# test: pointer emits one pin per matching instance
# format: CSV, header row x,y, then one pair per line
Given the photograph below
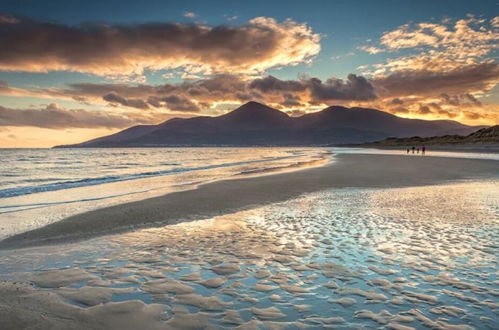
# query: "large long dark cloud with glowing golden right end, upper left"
x,y
105,49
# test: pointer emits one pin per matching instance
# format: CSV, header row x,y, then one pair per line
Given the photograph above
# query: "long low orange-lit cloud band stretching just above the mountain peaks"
x,y
218,94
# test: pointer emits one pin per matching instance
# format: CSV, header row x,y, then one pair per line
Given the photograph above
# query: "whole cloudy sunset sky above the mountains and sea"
x,y
75,70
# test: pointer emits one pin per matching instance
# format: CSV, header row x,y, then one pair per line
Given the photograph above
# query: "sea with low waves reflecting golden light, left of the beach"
x,y
41,186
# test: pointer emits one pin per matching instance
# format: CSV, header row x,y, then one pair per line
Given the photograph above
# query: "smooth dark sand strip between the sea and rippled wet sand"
x,y
226,196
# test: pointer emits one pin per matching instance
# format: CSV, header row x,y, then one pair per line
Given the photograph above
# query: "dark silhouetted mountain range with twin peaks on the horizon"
x,y
255,124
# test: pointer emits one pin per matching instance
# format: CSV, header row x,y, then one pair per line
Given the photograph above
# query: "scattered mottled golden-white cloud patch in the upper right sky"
x,y
437,46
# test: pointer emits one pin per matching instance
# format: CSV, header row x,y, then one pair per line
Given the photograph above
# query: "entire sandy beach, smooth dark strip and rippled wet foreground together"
x,y
367,240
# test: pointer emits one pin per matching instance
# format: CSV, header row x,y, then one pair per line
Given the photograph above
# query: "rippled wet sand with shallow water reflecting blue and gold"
x,y
422,257
